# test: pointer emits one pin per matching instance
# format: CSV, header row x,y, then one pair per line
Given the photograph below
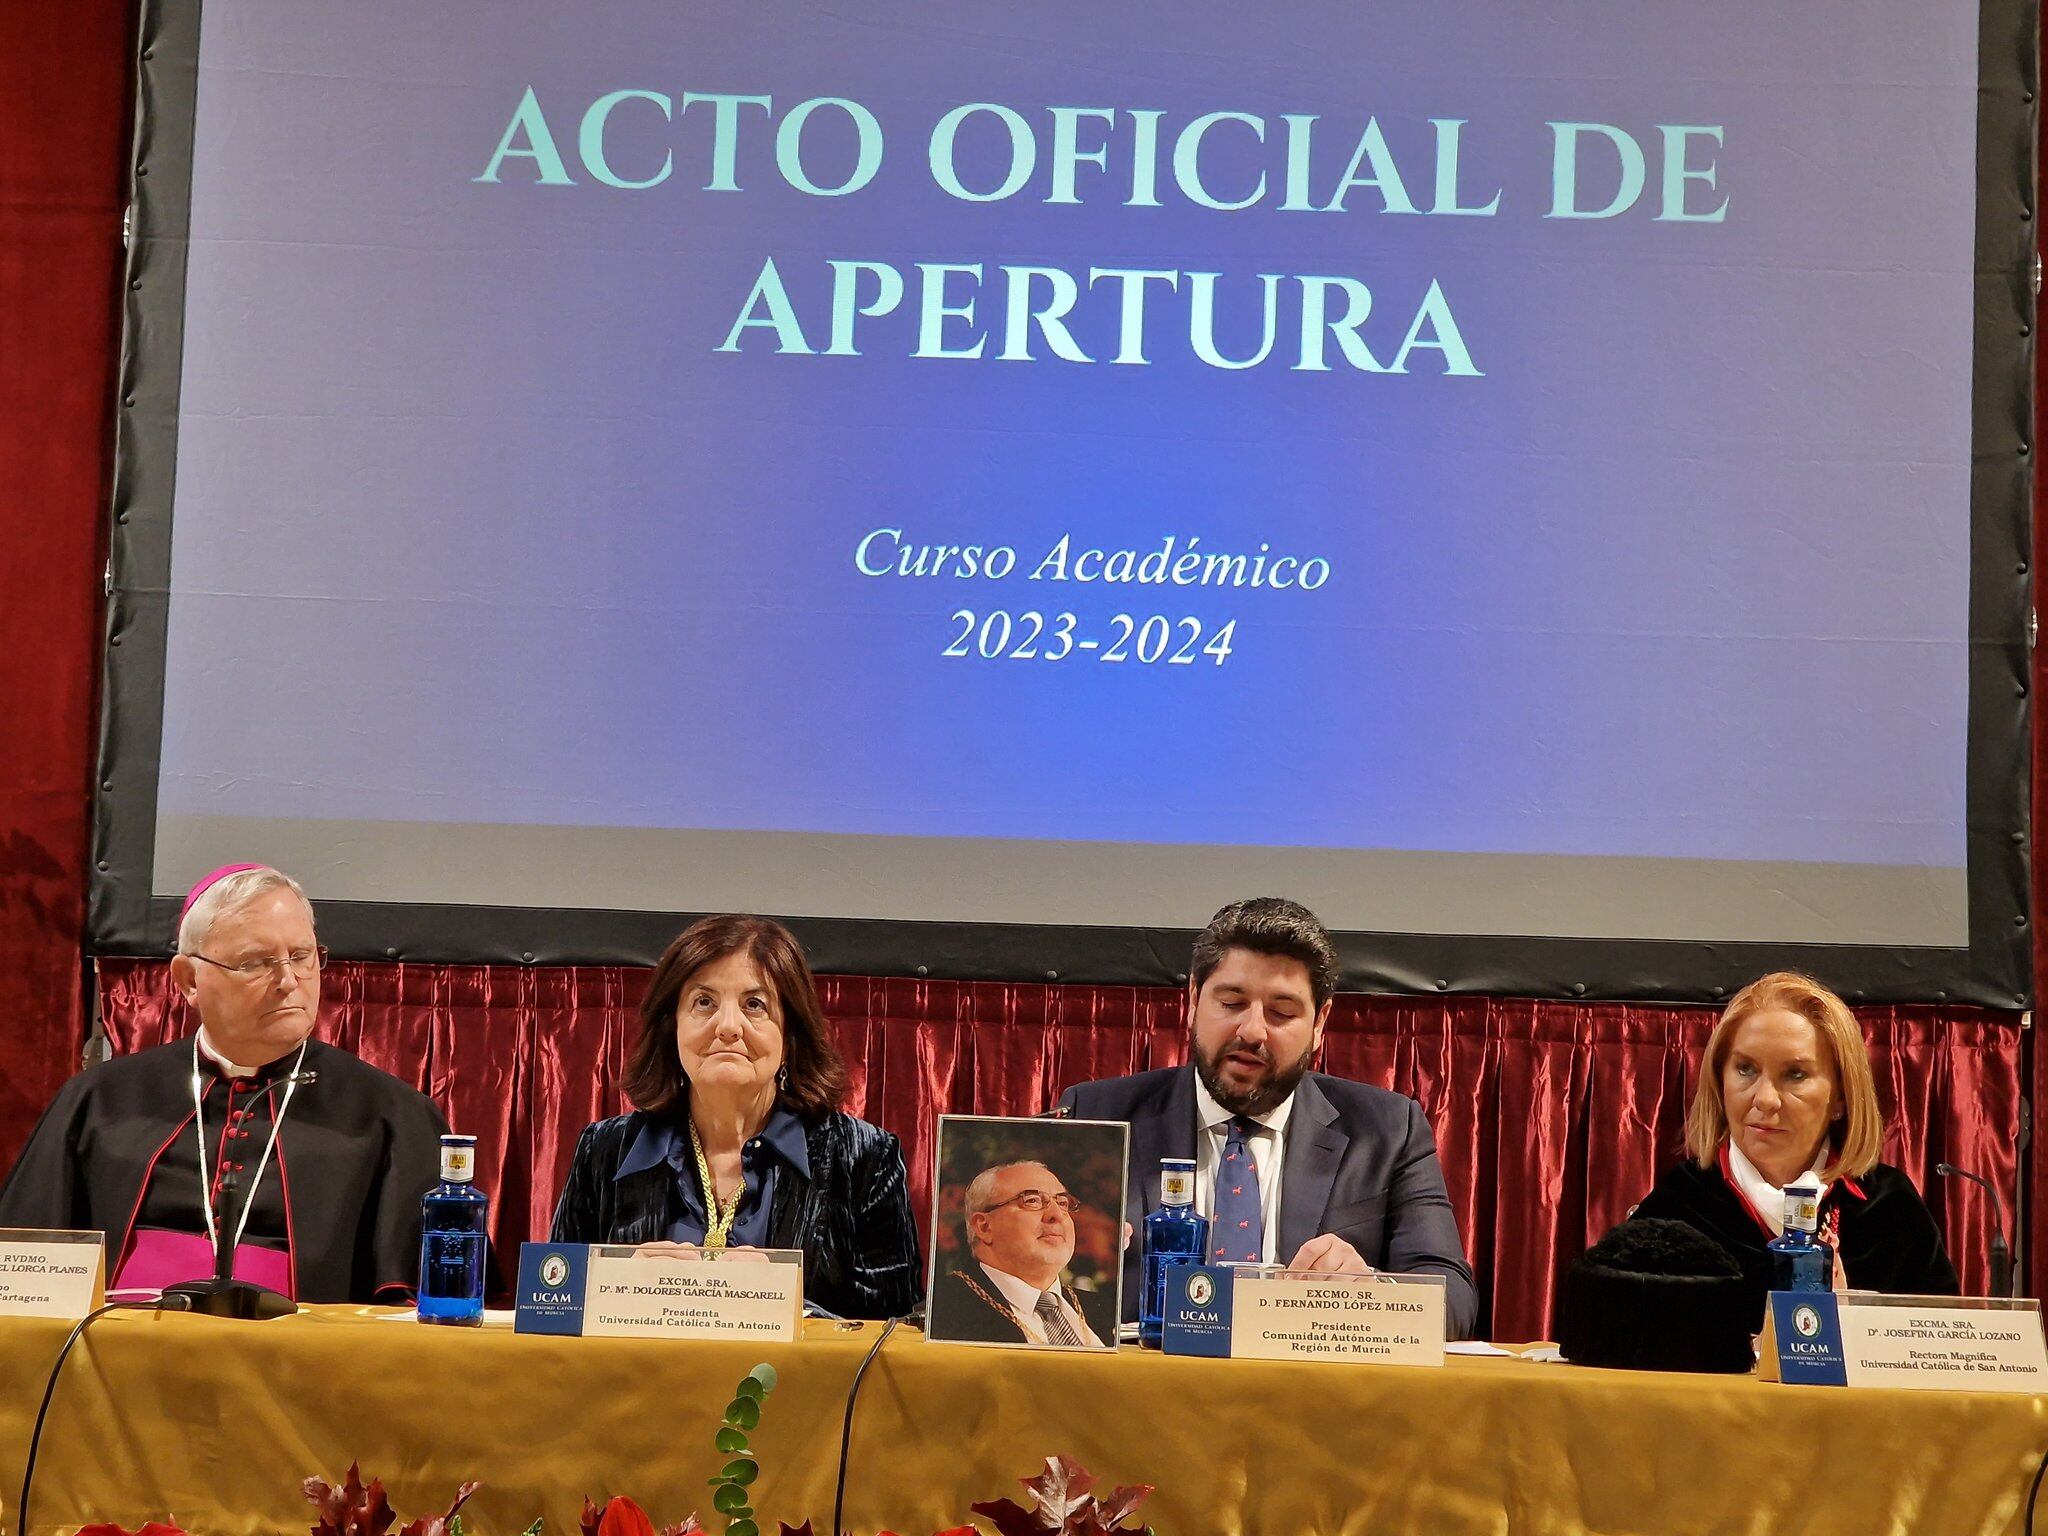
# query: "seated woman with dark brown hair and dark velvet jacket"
x,y
738,1086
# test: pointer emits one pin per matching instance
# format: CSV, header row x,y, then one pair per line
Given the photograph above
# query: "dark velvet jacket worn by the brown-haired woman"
x,y
851,1220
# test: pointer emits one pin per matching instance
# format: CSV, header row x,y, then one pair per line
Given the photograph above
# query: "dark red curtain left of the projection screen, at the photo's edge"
x,y
65,87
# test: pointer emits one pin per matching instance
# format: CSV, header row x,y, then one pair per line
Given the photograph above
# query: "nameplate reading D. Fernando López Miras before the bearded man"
x,y
1256,1314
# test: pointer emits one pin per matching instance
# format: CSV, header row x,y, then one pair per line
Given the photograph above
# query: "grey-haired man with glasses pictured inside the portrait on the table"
x,y
1021,1238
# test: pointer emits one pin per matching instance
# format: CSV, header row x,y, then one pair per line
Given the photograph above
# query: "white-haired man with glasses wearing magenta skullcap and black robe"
x,y
251,1148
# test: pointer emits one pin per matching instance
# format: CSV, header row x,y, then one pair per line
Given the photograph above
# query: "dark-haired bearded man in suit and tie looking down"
x,y
1291,1166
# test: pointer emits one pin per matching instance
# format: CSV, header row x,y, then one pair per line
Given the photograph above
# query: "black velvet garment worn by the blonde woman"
x,y
1887,1234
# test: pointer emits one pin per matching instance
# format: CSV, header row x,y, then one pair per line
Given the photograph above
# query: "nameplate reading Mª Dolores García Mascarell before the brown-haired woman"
x,y
605,1291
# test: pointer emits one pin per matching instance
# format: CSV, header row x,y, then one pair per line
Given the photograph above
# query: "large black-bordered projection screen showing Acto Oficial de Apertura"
x,y
1543,486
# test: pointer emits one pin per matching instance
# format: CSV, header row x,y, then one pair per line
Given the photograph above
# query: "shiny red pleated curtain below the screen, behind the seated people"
x,y
1551,1119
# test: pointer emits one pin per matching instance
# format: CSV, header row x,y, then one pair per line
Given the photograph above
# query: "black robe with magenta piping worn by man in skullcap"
x,y
116,1152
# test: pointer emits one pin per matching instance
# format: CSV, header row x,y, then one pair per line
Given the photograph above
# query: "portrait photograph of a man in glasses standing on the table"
x,y
1027,1232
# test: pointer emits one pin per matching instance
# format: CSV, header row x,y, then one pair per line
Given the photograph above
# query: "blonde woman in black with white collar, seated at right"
x,y
1785,1091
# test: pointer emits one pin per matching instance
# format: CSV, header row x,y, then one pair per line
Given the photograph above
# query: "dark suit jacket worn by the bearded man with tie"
x,y
1359,1162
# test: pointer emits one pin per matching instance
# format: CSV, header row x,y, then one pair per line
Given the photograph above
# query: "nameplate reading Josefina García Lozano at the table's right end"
x,y
1932,1345
